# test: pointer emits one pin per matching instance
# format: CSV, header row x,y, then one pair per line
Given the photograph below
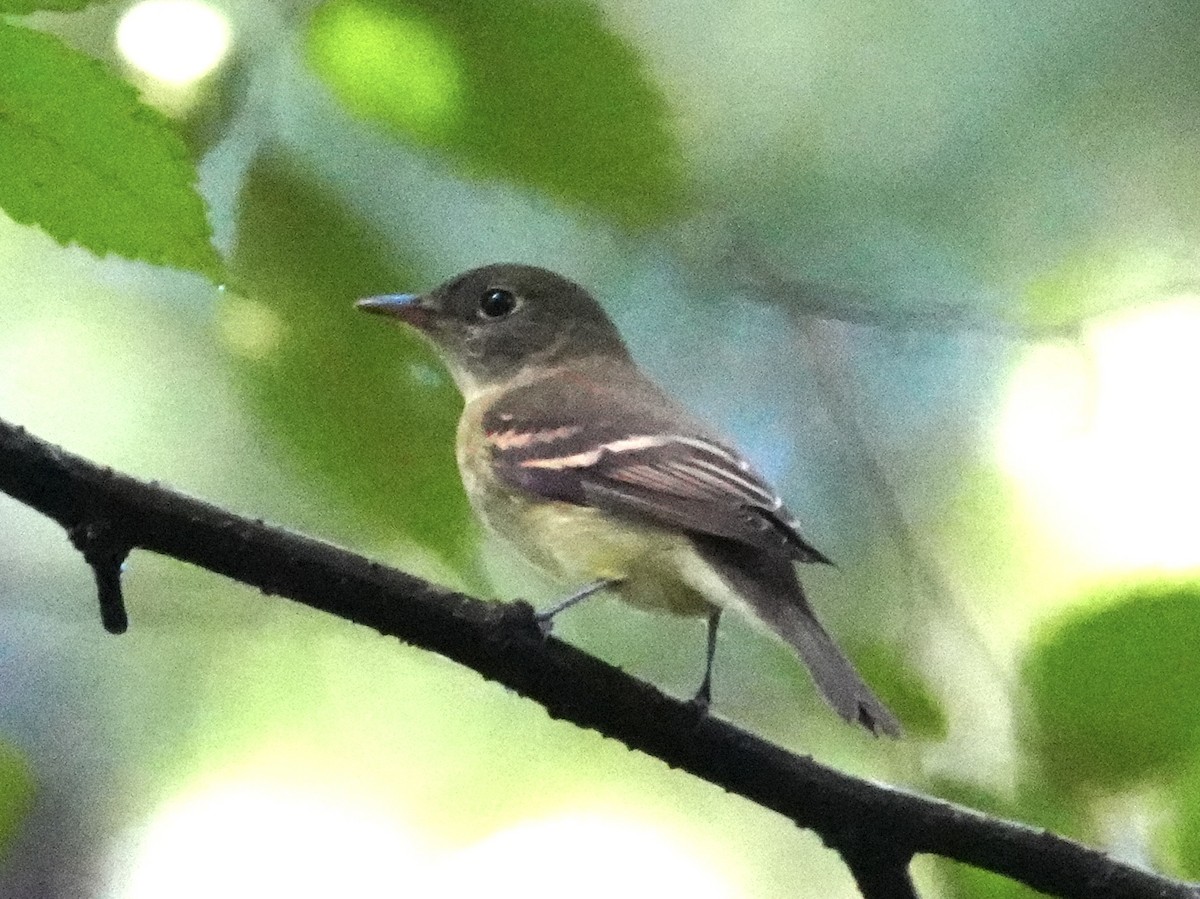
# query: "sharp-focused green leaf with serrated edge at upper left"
x,y
86,161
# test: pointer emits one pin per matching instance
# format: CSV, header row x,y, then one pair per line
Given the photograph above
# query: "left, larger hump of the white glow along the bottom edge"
x,y
254,841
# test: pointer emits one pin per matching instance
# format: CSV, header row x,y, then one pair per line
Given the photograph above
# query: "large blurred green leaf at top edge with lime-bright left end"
x,y
538,93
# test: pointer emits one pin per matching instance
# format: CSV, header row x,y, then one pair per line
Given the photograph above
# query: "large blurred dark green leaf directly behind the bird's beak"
x,y
361,403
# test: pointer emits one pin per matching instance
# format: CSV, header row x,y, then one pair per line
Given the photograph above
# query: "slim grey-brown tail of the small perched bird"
x,y
770,588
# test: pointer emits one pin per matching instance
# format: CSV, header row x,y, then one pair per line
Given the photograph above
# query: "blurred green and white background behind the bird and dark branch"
x,y
934,266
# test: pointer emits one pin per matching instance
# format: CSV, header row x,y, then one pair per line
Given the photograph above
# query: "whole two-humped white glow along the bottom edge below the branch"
x,y
248,841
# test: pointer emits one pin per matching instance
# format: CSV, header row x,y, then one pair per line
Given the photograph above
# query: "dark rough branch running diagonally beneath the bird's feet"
x,y
874,828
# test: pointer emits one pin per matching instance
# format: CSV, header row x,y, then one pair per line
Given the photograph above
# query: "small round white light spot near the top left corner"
x,y
175,41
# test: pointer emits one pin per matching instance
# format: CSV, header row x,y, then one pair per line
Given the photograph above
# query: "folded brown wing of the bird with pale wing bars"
x,y
631,452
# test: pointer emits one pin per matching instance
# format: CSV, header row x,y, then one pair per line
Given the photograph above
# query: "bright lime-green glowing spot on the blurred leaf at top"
x,y
388,65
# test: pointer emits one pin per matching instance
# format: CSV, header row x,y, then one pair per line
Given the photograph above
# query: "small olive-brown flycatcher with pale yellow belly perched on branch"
x,y
569,452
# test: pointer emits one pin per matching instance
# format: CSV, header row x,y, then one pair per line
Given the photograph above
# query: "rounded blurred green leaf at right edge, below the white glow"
x,y
1115,688
